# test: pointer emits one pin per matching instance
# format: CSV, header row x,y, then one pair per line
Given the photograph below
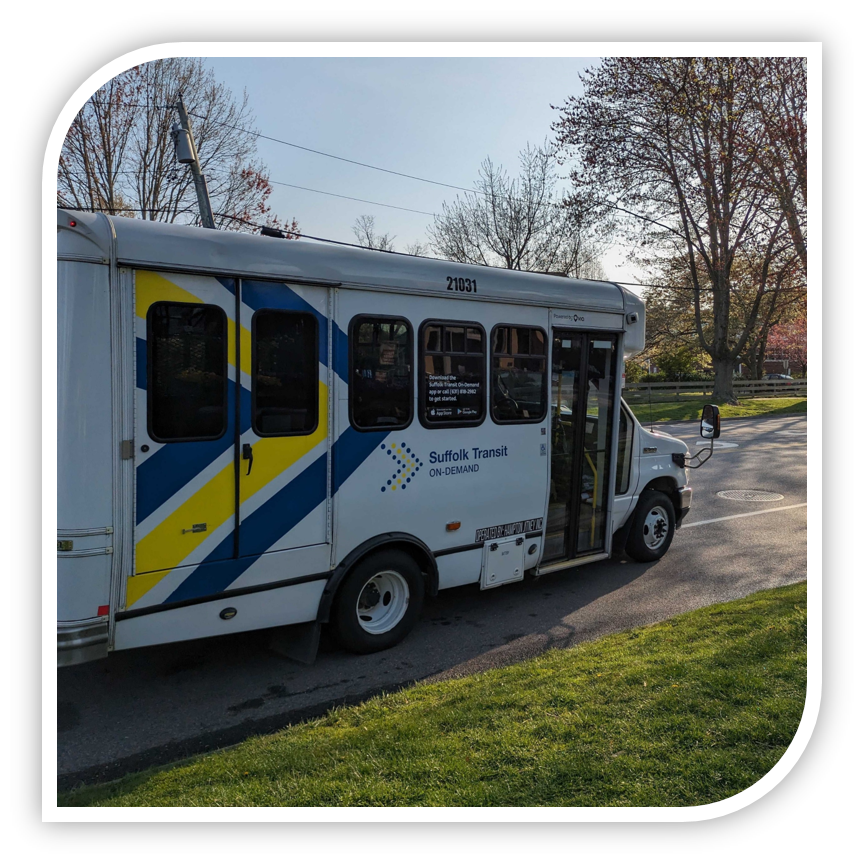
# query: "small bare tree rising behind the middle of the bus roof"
x,y
516,223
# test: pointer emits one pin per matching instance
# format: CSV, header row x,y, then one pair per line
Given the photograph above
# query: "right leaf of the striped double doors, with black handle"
x,y
284,410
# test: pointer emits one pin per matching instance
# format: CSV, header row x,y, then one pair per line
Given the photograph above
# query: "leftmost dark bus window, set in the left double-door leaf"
x,y
187,380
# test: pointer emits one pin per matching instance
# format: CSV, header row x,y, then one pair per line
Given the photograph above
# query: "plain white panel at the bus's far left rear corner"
x,y
84,444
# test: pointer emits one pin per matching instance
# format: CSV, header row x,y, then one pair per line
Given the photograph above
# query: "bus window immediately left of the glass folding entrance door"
x,y
518,374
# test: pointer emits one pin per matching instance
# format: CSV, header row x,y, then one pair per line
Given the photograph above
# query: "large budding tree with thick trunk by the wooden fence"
x,y
670,144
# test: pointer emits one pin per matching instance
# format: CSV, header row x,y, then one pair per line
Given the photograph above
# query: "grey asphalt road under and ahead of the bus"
x,y
155,705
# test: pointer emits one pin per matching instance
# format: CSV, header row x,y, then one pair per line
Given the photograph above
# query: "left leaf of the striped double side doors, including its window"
x,y
185,429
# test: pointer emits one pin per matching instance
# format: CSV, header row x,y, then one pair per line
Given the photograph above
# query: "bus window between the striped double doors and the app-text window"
x,y
381,382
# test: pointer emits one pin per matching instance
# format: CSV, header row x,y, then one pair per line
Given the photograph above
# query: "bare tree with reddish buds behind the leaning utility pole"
x,y
118,154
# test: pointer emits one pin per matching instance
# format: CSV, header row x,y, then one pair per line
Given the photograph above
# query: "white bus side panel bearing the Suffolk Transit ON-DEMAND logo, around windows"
x,y
493,481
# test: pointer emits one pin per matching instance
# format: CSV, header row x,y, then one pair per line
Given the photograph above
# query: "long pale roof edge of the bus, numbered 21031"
x,y
160,245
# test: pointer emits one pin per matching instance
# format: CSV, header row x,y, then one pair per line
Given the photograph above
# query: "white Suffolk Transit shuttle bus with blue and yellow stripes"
x,y
255,433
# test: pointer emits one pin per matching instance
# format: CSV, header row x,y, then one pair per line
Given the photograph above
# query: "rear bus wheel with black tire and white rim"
x,y
363,617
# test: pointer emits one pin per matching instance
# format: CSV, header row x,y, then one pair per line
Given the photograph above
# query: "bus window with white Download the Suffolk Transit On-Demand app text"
x,y
452,373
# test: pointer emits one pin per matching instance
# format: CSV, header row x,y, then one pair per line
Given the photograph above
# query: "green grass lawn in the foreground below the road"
x,y
686,712
